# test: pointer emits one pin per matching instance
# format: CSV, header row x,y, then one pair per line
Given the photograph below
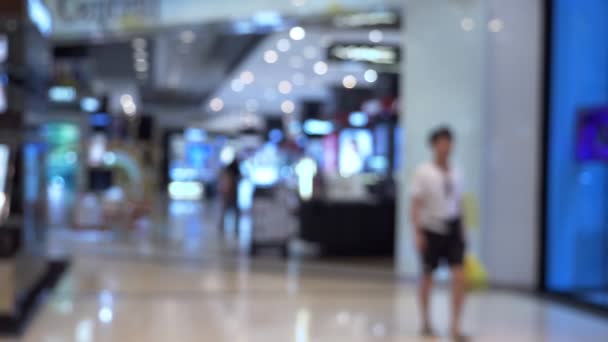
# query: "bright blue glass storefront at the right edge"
x,y
577,171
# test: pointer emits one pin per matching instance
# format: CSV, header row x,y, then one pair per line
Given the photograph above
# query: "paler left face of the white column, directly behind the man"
x,y
443,79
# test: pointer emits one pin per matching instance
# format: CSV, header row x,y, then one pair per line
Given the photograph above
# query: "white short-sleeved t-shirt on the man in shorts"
x,y
441,196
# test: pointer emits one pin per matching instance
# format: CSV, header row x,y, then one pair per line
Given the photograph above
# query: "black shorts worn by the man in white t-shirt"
x,y
440,248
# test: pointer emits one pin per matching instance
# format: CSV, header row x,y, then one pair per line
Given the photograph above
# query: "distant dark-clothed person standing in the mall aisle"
x,y
228,187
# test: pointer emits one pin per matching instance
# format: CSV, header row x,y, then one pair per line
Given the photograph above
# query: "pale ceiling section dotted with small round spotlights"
x,y
295,66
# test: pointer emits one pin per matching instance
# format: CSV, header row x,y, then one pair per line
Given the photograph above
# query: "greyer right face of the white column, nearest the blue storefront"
x,y
511,177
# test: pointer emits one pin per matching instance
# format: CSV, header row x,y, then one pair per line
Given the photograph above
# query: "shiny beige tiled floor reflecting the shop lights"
x,y
139,288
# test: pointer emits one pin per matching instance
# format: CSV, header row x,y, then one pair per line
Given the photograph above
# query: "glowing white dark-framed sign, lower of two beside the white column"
x,y
364,53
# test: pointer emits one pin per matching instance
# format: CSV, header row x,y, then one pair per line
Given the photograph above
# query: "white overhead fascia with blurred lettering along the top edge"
x,y
78,19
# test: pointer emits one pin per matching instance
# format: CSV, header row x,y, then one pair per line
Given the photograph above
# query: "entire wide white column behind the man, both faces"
x,y
487,86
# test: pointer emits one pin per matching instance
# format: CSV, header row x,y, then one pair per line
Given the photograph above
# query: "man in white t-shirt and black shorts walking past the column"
x,y
437,212
